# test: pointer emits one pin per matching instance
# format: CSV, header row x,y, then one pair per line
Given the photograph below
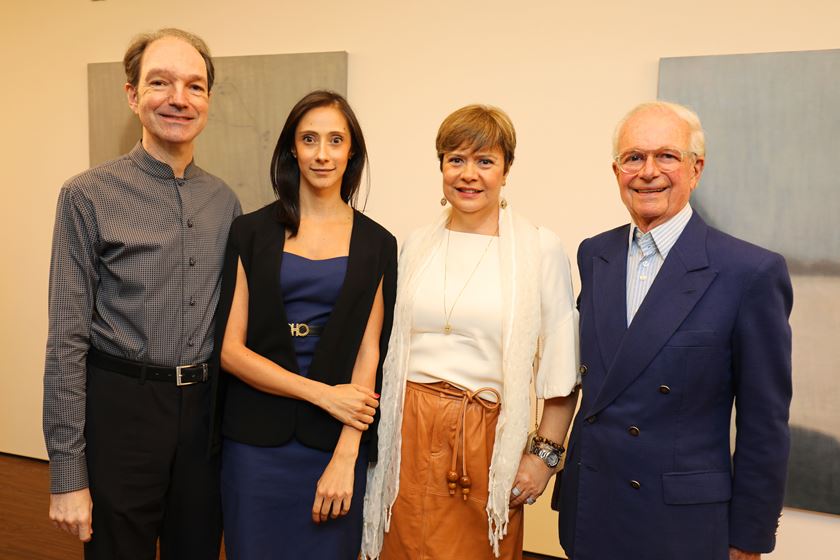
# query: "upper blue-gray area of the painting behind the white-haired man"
x,y
773,136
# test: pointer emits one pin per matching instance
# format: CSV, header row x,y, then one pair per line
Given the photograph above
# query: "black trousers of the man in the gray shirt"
x,y
149,470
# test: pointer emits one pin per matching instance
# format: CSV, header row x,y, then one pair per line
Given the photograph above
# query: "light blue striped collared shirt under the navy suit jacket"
x,y
643,266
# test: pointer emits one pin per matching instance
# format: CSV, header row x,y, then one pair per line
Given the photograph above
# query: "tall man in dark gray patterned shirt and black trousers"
x,y
134,281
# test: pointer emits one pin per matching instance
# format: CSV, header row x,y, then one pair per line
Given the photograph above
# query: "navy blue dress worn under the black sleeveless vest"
x,y
268,492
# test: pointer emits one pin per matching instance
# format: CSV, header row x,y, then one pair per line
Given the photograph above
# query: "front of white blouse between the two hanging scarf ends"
x,y
470,356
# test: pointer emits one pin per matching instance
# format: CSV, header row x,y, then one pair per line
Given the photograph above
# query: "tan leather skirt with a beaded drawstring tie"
x,y
439,515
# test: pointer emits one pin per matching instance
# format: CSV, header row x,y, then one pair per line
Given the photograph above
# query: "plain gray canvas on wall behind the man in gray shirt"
x,y
250,101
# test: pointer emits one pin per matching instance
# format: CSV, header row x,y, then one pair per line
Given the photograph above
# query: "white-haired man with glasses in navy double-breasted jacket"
x,y
678,321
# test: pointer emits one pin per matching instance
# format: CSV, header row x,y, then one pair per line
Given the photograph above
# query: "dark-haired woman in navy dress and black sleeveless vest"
x,y
304,319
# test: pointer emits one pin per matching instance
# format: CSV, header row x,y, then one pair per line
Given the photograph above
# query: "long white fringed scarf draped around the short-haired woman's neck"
x,y
519,259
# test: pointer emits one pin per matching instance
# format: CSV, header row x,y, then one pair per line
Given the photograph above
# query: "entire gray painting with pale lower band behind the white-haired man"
x,y
772,124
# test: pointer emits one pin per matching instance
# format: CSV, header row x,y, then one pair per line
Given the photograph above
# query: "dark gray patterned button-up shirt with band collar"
x,y
136,264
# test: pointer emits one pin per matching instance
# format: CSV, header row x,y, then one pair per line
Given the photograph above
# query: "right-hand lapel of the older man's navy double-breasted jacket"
x,y
678,287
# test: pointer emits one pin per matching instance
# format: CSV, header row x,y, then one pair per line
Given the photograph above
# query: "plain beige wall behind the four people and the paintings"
x,y
565,71
